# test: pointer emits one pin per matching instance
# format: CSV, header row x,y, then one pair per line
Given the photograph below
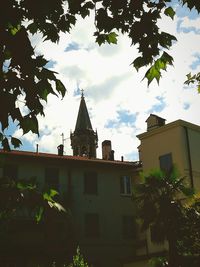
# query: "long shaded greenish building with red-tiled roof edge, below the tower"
x,y
98,195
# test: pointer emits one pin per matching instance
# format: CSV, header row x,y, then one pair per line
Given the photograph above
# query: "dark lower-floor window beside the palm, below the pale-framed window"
x,y
129,228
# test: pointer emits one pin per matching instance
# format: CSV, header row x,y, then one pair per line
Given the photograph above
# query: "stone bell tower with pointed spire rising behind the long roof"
x,y
84,140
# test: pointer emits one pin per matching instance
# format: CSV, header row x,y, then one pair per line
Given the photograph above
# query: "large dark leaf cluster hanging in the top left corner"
x,y
24,80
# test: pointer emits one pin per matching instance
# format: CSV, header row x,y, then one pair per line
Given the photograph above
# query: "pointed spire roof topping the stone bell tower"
x,y
83,120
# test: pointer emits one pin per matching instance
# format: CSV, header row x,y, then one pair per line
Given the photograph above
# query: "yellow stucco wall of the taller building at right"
x,y
172,139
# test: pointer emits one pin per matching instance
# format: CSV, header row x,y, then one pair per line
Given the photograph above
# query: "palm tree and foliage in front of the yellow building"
x,y
169,207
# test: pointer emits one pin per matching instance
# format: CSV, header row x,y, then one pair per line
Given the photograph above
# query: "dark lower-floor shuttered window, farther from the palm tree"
x,y
92,225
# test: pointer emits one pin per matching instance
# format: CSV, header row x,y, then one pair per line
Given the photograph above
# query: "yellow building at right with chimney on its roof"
x,y
176,143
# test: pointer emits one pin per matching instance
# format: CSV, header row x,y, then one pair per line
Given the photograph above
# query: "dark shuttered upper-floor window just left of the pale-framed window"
x,y
90,183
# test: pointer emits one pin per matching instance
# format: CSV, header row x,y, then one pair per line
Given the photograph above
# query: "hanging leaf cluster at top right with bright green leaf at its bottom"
x,y
139,20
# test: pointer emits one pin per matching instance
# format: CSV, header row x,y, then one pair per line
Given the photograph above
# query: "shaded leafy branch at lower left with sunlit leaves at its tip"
x,y
22,197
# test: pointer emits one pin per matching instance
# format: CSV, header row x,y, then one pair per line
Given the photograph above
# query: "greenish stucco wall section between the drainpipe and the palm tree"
x,y
110,206
